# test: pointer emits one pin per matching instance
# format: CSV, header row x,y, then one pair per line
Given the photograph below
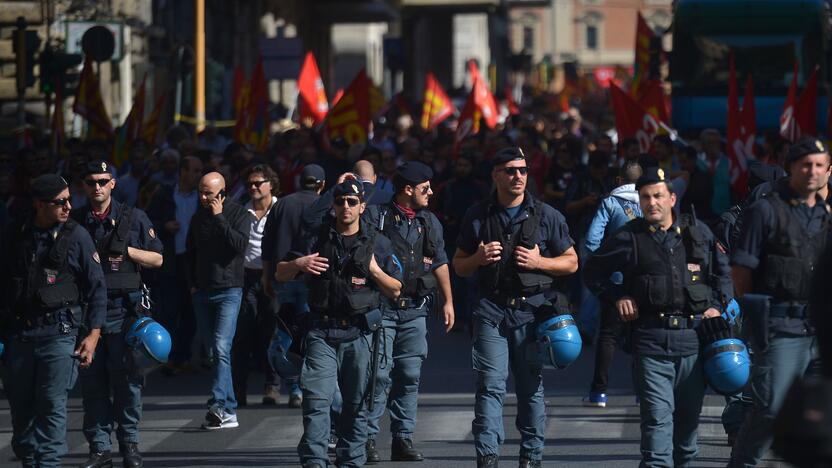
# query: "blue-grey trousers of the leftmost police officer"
x,y
41,372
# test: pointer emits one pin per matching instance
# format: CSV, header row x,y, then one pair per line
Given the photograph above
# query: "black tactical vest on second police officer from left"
x,y
121,274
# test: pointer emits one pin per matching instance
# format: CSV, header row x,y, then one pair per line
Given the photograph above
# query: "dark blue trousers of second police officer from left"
x,y
104,407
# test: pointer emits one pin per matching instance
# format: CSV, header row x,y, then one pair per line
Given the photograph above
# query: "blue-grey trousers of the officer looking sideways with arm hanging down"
x,y
405,346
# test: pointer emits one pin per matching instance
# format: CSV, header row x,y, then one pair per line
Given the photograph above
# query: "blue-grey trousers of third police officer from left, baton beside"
x,y
326,367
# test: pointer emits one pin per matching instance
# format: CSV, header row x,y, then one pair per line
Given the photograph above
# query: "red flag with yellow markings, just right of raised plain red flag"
x,y
350,116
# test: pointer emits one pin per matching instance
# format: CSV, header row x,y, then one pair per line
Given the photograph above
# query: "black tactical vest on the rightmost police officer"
x,y
787,268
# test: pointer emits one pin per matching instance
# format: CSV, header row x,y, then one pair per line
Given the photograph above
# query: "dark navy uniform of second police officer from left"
x,y
111,393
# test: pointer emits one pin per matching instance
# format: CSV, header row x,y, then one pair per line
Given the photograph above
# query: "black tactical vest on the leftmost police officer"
x,y
42,283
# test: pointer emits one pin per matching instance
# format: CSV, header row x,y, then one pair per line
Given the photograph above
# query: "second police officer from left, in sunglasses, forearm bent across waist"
x,y
126,243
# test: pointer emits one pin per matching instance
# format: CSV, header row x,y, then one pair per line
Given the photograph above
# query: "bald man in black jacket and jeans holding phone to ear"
x,y
216,242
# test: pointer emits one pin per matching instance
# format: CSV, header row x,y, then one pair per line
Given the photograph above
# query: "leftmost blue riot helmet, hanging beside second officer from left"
x,y
148,345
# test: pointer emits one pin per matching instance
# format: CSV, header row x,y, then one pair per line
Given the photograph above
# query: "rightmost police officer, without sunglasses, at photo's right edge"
x,y
781,239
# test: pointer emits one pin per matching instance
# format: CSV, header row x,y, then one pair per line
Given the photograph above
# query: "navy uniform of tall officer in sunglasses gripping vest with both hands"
x,y
506,301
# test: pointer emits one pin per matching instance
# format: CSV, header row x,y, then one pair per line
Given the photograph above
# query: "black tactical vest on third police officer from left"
x,y
344,288
